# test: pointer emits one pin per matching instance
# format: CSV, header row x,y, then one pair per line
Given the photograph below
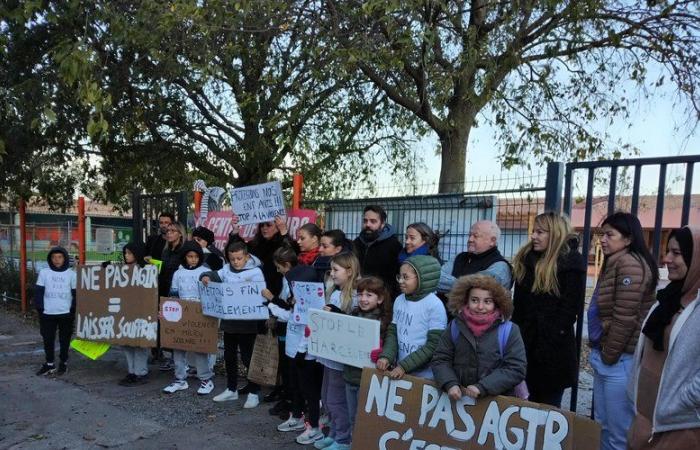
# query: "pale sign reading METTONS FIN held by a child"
x,y
238,301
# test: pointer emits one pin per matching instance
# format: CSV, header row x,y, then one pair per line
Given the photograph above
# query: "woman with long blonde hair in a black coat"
x,y
550,277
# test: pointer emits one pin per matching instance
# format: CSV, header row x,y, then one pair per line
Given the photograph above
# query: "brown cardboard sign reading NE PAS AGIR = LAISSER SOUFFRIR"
x,y
117,304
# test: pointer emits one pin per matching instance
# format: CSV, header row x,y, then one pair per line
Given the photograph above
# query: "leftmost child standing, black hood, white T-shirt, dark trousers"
x,y
54,299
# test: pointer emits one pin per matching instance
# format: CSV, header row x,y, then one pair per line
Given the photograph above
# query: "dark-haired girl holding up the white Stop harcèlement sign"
x,y
374,302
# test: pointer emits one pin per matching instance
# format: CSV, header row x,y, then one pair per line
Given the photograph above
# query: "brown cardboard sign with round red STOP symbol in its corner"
x,y
184,327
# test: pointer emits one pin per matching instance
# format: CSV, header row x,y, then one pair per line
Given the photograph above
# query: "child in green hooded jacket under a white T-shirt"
x,y
419,320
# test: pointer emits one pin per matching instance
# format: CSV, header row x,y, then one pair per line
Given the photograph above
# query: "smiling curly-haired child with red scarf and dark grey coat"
x,y
480,353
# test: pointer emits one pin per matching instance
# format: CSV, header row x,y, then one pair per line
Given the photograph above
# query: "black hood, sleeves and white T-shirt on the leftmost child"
x,y
55,286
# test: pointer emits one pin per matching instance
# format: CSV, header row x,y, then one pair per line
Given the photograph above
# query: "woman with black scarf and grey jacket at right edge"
x,y
665,385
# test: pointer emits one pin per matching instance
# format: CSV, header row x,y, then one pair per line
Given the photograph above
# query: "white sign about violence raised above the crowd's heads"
x,y
258,203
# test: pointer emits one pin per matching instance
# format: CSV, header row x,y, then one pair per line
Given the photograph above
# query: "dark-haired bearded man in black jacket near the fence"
x,y
377,247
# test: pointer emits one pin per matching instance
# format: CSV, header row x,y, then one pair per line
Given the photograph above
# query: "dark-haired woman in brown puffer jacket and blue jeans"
x,y
621,299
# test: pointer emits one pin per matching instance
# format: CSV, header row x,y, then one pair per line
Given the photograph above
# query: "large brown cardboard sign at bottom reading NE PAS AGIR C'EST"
x,y
413,413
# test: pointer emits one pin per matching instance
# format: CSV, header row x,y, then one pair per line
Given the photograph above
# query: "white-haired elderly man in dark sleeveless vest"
x,y
482,256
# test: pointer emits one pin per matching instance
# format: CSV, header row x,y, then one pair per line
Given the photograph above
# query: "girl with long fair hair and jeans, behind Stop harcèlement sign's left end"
x,y
345,270
